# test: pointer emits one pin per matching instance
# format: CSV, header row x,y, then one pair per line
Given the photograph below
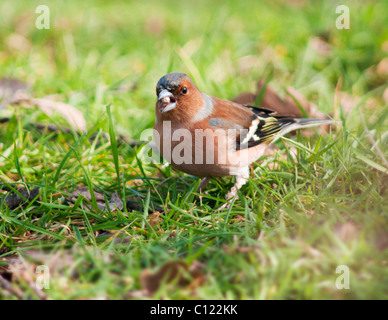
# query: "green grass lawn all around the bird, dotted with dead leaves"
x,y
296,221
